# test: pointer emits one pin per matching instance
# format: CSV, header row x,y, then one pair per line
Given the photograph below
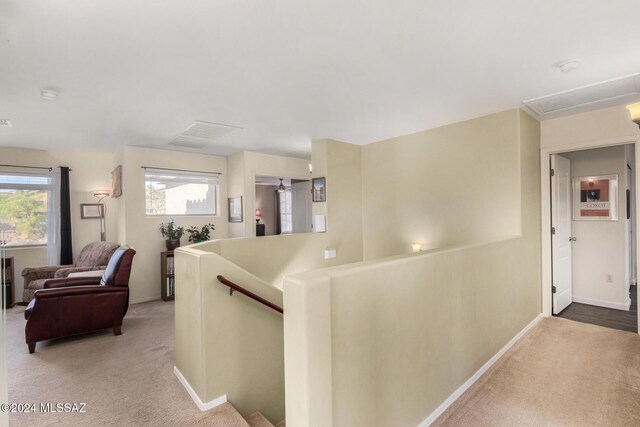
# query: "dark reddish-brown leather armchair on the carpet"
x,y
77,305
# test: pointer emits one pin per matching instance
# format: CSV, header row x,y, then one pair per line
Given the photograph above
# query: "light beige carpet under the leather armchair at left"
x,y
126,380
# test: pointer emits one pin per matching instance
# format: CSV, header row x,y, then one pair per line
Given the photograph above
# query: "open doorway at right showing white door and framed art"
x,y
593,244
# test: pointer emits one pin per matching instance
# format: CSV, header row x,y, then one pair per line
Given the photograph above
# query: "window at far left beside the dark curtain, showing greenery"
x,y
24,206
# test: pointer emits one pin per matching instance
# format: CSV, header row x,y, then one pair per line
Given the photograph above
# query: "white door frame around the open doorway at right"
x,y
545,206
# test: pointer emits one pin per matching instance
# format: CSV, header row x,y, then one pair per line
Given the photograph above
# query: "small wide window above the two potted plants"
x,y
180,193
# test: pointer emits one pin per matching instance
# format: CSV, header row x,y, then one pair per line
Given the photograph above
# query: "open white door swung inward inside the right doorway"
x,y
561,231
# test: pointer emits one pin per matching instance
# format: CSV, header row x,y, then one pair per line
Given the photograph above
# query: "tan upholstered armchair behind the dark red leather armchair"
x,y
94,256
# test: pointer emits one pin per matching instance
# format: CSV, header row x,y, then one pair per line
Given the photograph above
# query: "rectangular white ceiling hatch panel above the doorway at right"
x,y
600,95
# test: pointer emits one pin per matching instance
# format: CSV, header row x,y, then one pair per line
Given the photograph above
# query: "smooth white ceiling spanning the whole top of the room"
x,y
138,72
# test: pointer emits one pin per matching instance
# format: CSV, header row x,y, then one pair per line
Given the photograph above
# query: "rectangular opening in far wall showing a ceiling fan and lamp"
x,y
283,206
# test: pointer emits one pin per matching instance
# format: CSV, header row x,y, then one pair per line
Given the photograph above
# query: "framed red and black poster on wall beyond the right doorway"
x,y
595,198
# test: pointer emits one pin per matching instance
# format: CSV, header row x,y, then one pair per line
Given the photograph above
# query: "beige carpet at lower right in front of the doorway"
x,y
563,373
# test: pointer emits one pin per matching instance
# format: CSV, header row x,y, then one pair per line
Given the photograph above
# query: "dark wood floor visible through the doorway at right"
x,y
607,317
